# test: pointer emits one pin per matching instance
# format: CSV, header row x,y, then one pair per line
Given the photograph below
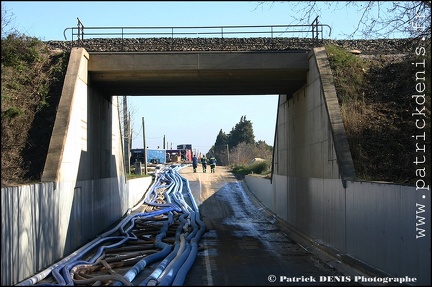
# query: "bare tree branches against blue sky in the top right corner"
x,y
378,18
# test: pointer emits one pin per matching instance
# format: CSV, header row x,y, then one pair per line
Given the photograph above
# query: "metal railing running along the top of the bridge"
x,y
313,31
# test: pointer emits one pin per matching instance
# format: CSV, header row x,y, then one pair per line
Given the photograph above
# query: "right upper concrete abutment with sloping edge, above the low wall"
x,y
310,136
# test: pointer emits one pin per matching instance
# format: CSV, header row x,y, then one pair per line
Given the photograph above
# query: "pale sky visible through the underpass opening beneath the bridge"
x,y
197,120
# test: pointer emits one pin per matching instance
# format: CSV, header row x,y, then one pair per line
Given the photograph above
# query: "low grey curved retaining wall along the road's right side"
x,y
367,224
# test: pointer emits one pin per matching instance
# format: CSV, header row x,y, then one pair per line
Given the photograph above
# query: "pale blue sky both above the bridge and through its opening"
x,y
193,119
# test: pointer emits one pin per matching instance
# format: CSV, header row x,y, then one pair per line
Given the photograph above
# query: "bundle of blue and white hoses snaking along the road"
x,y
170,196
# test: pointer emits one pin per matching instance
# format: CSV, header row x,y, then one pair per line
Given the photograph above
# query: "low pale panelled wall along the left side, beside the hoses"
x,y
42,223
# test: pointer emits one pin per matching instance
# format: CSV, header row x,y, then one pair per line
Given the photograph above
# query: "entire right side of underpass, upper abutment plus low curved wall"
x,y
313,189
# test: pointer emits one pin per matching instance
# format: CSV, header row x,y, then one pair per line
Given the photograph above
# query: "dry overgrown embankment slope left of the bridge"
x,y
31,82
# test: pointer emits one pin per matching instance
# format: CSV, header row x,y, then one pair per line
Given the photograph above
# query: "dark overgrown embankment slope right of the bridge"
x,y
375,95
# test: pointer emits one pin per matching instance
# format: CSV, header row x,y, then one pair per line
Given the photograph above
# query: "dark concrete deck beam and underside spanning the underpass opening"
x,y
198,73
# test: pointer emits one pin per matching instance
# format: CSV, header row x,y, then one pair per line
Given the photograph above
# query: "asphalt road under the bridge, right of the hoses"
x,y
242,245
